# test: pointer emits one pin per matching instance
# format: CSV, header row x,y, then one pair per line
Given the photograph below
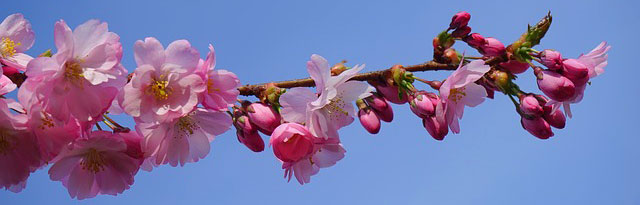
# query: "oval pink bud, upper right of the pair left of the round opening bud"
x,y
263,116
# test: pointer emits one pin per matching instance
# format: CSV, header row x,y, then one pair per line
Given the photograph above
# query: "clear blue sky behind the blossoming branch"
x,y
594,160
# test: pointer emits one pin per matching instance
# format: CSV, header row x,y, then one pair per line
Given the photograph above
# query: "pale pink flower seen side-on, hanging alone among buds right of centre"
x,y
460,89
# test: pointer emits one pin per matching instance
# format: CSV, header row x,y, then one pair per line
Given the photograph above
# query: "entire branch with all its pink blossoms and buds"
x,y
180,102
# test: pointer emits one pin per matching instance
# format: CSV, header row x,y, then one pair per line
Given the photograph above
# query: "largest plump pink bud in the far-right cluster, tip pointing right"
x,y
556,86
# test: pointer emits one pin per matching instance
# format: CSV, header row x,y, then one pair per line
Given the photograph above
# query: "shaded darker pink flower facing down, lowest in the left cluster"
x,y
96,165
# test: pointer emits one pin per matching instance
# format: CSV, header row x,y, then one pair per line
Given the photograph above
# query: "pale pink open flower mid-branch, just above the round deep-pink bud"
x,y
332,107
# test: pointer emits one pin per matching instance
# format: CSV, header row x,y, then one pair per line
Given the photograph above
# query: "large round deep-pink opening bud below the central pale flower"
x,y
292,142
